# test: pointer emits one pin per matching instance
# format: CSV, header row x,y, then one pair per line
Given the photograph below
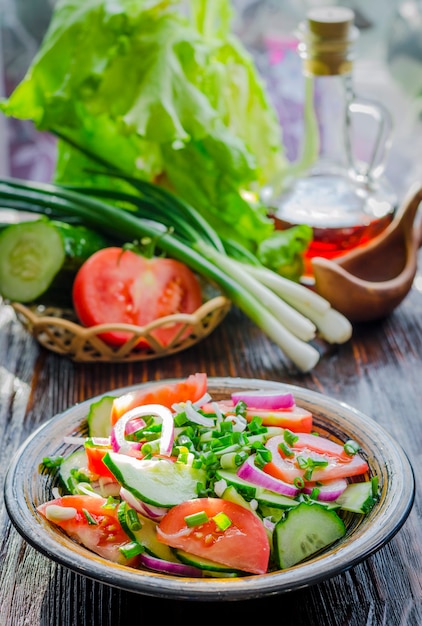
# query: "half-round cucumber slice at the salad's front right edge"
x,y
305,530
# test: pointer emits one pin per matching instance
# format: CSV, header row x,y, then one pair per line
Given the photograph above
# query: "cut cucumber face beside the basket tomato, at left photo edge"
x,y
31,254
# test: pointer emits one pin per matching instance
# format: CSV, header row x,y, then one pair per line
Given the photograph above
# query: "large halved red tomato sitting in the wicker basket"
x,y
116,285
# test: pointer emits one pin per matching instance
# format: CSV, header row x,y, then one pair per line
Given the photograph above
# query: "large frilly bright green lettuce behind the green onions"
x,y
160,93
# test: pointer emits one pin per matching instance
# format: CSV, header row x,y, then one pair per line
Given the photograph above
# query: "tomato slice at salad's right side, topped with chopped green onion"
x,y
315,448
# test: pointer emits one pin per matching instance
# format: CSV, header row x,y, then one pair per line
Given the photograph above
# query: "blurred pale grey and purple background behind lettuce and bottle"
x,y
388,68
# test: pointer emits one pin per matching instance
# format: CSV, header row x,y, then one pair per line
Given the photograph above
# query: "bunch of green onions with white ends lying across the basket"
x,y
289,315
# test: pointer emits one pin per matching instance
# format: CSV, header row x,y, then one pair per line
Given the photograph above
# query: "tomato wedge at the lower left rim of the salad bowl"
x,y
91,523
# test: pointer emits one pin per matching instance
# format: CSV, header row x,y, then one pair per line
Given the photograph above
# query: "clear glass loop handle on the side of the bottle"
x,y
373,165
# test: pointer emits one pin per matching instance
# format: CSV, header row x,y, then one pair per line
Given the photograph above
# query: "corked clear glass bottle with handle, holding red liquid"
x,y
337,185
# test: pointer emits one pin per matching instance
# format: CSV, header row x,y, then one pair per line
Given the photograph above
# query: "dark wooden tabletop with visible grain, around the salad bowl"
x,y
379,372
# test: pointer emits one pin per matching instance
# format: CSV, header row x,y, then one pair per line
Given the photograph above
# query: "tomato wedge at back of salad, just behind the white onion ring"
x,y
192,388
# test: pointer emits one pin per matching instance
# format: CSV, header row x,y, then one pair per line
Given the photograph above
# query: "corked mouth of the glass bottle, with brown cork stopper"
x,y
327,40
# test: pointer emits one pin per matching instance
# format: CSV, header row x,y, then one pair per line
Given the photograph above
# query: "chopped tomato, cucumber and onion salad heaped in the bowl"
x,y
171,480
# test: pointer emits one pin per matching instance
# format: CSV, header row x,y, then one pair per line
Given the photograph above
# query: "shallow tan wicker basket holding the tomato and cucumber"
x,y
58,330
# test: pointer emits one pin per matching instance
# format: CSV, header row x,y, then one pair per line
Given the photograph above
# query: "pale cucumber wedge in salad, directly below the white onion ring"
x,y
159,482
